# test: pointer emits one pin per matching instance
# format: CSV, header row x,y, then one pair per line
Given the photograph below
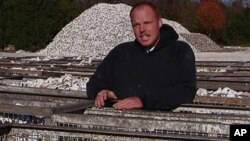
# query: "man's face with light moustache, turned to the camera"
x,y
146,26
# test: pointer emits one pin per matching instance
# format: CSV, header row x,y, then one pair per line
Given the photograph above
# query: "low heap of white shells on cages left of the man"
x,y
65,82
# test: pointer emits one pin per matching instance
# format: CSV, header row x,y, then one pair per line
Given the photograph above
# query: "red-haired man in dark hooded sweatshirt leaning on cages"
x,y
153,72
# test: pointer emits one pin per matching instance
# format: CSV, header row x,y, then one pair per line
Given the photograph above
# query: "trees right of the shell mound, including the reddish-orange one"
x,y
226,25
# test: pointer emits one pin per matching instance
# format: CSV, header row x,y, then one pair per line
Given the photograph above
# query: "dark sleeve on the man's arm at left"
x,y
102,77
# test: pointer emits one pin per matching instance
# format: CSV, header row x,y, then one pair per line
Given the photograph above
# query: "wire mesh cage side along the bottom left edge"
x,y
20,134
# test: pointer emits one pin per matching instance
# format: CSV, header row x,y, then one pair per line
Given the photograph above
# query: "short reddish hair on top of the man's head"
x,y
145,3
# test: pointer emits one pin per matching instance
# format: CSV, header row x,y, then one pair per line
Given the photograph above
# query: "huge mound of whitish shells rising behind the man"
x,y
96,31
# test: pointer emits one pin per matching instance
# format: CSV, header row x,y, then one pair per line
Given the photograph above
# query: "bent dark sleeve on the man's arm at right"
x,y
183,89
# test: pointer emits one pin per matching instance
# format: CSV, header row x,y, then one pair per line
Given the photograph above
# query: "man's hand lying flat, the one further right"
x,y
129,103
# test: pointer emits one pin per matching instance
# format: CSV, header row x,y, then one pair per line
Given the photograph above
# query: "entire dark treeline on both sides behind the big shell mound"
x,y
32,24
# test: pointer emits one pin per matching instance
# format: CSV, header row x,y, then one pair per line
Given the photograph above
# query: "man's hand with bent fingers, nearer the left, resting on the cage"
x,y
102,96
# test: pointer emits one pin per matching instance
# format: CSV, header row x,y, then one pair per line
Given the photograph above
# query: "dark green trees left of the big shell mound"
x,y
31,24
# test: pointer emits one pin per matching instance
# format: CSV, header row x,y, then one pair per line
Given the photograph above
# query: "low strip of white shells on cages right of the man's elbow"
x,y
222,92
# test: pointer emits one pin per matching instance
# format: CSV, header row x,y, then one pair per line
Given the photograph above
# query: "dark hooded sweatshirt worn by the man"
x,y
162,79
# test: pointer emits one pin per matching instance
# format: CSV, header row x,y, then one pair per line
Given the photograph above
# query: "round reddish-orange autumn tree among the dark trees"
x,y
210,16
